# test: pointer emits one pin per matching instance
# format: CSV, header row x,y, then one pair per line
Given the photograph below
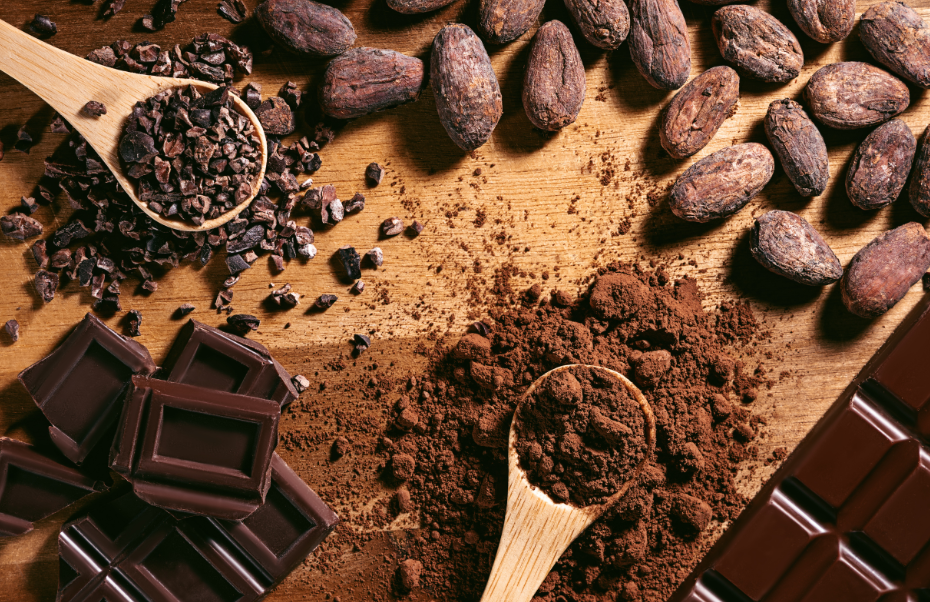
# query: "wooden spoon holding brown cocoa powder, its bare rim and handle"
x,y
537,530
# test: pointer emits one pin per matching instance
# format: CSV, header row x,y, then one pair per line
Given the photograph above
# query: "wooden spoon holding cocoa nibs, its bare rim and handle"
x,y
67,83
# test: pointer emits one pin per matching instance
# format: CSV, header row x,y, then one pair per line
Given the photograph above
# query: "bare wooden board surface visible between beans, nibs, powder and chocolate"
x,y
553,207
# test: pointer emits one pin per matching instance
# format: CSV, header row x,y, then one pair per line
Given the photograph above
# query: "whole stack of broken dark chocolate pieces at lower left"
x,y
214,512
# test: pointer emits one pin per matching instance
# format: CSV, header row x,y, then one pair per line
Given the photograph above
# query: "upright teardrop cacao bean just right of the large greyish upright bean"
x,y
554,85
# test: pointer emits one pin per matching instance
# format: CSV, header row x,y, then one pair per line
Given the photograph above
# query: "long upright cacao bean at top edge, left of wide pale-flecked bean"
x,y
659,43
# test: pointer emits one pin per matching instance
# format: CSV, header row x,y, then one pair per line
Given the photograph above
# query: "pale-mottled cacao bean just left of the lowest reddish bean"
x,y
784,243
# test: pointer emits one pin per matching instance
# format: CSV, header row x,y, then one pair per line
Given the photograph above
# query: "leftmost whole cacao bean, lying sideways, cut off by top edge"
x,y
306,27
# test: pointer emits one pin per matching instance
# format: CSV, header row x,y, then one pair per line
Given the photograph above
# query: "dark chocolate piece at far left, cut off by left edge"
x,y
34,485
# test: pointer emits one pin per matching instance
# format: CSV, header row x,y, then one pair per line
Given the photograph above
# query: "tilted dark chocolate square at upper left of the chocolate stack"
x,y
80,386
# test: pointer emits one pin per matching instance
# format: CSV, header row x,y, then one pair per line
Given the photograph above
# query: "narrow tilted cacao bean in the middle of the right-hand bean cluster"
x,y
799,146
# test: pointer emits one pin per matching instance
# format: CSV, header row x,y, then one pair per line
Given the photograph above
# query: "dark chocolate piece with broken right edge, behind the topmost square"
x,y
207,357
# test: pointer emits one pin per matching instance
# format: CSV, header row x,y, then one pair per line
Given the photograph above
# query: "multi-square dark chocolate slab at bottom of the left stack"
x,y
128,550
